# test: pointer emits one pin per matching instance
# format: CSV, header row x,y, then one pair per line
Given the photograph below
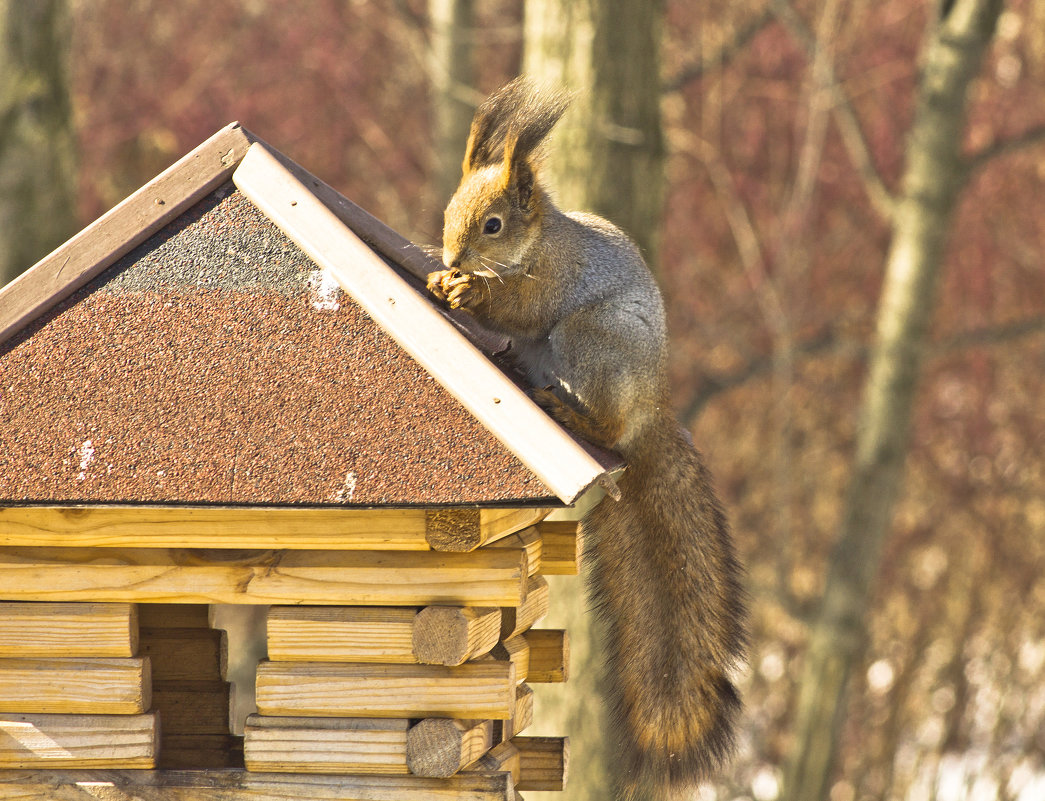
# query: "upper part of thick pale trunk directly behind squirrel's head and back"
x,y
609,153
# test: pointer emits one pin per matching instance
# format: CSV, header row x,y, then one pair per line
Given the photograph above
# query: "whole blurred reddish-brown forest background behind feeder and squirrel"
x,y
845,205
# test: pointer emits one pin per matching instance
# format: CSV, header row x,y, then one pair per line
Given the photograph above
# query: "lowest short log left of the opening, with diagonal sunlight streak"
x,y
79,741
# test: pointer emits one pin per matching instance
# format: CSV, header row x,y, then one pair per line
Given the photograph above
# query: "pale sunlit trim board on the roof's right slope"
x,y
419,327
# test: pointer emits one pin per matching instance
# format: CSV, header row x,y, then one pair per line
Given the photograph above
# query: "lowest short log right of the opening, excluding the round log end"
x,y
327,745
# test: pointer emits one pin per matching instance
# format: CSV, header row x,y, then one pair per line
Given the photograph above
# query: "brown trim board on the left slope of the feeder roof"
x,y
126,226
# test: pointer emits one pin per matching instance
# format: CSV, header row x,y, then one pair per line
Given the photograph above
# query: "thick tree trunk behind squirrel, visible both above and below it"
x,y
607,156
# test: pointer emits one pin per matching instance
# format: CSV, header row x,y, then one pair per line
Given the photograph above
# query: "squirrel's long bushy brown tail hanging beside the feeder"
x,y
667,585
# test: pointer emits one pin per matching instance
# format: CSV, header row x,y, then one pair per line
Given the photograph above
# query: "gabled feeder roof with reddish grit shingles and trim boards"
x,y
194,346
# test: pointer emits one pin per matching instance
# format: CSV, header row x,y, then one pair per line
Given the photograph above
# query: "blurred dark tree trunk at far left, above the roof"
x,y
38,180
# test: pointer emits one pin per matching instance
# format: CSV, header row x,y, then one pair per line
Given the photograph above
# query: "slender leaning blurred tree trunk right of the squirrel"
x,y
935,177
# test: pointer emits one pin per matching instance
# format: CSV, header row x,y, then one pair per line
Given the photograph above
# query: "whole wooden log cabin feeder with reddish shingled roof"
x,y
234,390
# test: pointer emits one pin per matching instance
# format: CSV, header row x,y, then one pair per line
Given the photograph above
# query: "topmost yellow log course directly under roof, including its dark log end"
x,y
417,529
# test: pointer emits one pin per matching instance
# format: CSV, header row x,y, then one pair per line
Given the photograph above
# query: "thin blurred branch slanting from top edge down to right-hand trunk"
x,y
849,124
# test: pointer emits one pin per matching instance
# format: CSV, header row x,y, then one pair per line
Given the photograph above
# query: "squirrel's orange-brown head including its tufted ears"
x,y
495,217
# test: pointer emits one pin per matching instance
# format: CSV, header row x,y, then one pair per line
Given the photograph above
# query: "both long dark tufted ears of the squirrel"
x,y
517,114
